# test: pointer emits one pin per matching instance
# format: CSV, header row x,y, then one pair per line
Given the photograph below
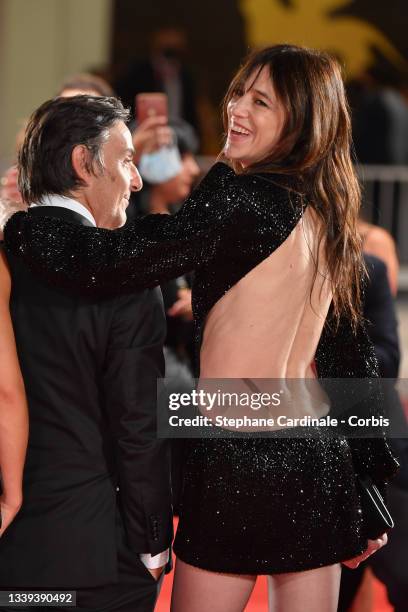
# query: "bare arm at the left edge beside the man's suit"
x,y
13,410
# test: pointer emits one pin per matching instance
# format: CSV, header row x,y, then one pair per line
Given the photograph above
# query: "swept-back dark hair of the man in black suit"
x,y
54,129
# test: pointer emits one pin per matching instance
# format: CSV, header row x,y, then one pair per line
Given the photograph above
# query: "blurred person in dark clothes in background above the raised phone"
x,y
164,70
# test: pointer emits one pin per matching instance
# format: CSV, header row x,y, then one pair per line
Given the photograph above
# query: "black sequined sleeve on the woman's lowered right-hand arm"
x,y
344,353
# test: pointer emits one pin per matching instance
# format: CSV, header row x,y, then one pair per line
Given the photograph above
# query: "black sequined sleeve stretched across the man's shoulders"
x,y
149,251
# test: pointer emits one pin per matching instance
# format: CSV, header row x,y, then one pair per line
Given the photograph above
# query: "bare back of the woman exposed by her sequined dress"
x,y
266,326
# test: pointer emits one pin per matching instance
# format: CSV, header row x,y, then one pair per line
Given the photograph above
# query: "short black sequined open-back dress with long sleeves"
x,y
251,506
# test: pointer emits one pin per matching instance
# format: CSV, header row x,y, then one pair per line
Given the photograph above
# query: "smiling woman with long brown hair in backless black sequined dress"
x,y
272,240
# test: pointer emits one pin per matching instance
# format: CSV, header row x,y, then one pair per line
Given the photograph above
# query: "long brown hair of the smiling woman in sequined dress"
x,y
314,148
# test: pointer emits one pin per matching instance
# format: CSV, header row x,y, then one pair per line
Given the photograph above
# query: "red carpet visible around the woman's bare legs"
x,y
259,599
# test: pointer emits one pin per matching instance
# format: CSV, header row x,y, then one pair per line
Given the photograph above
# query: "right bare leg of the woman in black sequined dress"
x,y
307,591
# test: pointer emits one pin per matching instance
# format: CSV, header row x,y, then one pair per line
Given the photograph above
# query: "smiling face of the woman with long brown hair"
x,y
255,121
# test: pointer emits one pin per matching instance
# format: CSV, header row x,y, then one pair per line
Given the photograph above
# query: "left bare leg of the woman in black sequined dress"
x,y
197,590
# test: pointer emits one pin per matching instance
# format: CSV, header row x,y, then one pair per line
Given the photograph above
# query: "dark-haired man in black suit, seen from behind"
x,y
96,516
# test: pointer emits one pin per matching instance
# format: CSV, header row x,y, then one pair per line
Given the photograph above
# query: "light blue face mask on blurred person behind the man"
x,y
161,165
